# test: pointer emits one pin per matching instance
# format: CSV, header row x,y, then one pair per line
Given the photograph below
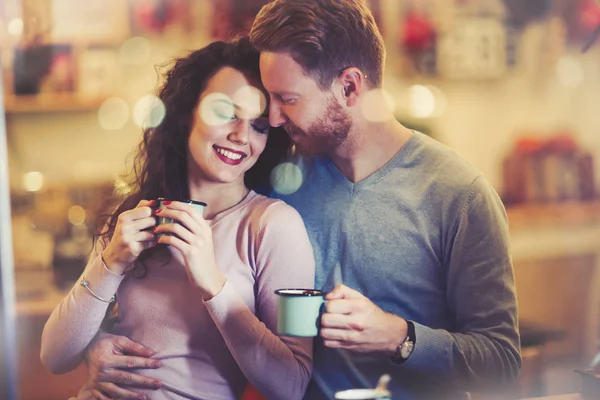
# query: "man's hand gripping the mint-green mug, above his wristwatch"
x,y
353,322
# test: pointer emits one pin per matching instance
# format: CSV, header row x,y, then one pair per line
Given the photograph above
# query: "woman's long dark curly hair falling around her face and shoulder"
x,y
160,164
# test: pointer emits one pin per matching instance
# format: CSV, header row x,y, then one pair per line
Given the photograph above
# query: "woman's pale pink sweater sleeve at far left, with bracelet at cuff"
x,y
76,320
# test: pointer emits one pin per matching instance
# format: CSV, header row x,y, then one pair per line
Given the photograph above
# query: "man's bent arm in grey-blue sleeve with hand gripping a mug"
x,y
482,349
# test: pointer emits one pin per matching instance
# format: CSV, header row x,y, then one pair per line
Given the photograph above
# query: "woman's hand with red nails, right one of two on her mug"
x,y
193,238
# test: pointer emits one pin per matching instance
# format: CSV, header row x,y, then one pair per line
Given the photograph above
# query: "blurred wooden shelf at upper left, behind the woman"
x,y
49,103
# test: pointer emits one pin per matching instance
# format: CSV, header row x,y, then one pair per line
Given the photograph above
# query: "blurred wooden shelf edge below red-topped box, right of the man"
x,y
567,213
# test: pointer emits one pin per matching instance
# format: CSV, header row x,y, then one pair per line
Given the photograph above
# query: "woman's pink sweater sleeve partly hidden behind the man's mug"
x,y
279,367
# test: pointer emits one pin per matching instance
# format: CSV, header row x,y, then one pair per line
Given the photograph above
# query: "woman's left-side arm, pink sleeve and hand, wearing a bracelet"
x,y
76,320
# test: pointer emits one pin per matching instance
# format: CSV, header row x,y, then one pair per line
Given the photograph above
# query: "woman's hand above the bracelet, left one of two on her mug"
x,y
130,238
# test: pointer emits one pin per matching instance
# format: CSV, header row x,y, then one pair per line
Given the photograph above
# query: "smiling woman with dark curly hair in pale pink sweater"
x,y
203,298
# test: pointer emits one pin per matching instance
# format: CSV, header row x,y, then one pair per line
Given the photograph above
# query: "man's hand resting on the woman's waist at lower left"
x,y
109,358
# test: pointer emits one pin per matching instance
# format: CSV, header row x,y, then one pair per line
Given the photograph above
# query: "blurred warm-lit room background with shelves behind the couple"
x,y
511,85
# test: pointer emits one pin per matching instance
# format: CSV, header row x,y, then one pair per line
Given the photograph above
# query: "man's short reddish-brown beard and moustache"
x,y
325,134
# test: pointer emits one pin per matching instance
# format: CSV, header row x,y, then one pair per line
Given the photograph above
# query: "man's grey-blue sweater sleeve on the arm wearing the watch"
x,y
483,349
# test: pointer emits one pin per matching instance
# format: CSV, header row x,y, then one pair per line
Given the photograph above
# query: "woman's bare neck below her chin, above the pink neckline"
x,y
217,196
